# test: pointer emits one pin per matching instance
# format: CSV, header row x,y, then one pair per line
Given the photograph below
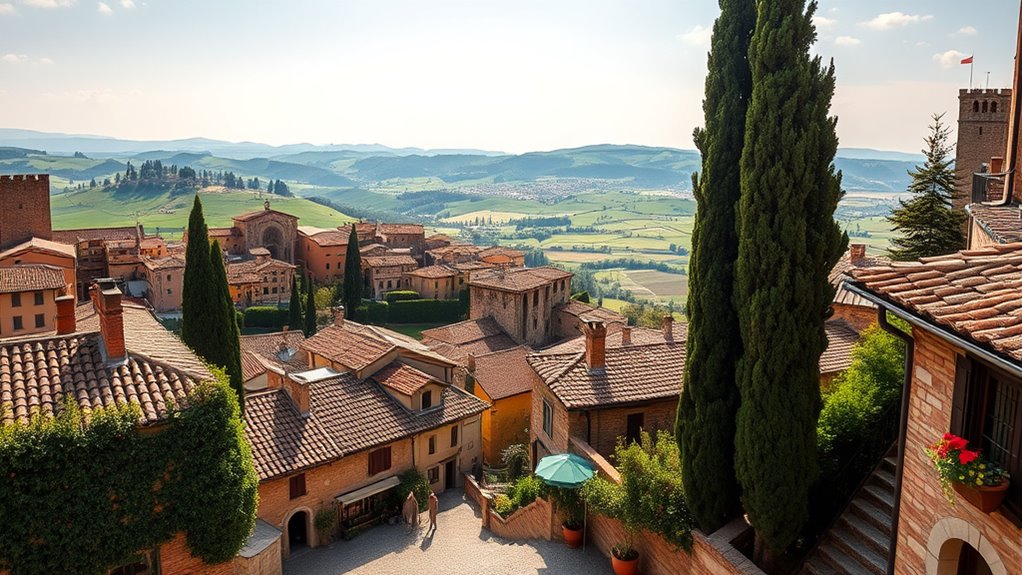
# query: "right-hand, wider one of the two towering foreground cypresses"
x,y
788,243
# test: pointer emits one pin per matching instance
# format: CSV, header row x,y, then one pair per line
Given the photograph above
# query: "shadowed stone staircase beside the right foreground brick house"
x,y
859,542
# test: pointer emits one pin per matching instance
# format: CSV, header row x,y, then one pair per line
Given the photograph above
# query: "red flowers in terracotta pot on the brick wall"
x,y
968,473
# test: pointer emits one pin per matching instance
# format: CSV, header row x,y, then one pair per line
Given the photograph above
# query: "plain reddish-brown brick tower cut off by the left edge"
x,y
25,209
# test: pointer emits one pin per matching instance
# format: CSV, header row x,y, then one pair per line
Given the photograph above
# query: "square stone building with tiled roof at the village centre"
x,y
522,301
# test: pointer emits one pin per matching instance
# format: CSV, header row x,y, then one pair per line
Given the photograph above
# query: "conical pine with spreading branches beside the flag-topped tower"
x,y
927,225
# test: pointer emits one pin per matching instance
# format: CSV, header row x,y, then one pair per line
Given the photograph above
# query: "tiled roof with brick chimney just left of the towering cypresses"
x,y
633,374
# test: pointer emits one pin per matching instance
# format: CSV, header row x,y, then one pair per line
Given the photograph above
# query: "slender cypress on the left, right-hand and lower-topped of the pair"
x,y
223,326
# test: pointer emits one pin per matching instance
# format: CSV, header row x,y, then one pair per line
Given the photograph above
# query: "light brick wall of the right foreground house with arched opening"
x,y
923,505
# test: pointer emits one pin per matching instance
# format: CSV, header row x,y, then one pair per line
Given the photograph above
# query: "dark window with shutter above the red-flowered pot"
x,y
988,412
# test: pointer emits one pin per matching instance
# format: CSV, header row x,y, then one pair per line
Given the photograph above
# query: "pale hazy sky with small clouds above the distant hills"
x,y
498,75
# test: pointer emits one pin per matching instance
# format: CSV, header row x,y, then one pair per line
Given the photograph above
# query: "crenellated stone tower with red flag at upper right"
x,y
983,135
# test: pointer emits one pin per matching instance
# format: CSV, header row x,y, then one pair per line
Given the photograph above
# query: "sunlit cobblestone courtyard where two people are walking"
x,y
459,547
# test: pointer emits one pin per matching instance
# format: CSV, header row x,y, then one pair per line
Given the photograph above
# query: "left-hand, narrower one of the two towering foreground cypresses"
x,y
710,397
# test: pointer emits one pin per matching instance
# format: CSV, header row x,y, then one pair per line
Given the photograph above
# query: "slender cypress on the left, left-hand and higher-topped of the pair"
x,y
199,299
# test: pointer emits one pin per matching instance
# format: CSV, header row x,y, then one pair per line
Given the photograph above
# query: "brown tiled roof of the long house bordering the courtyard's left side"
x,y
347,416
